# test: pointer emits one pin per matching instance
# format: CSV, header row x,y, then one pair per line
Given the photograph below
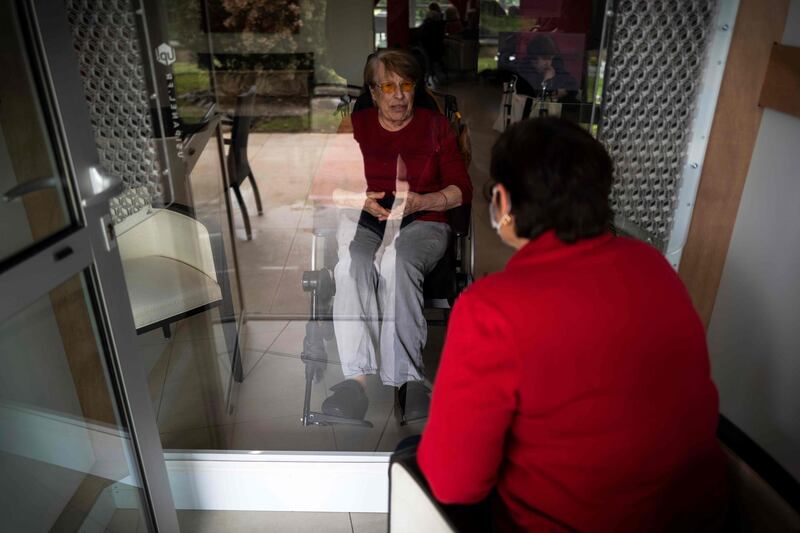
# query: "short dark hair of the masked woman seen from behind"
x,y
558,177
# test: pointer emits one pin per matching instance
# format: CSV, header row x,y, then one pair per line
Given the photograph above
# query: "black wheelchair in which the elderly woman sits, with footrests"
x,y
451,275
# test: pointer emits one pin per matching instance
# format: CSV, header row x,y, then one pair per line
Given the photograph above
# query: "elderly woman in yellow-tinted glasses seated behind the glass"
x,y
391,233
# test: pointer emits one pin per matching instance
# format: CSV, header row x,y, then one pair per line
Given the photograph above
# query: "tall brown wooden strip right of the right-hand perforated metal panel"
x,y
759,24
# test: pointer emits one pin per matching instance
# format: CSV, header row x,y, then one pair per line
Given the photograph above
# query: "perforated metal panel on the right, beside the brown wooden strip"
x,y
656,60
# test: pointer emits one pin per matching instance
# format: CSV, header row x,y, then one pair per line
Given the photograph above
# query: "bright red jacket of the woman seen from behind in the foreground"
x,y
576,382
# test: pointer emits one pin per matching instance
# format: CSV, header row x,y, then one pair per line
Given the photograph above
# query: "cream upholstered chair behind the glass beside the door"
x,y
170,271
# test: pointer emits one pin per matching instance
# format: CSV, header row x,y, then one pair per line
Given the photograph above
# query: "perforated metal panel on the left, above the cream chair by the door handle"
x,y
104,35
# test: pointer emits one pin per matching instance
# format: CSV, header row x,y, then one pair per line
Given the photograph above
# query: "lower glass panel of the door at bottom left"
x,y
65,453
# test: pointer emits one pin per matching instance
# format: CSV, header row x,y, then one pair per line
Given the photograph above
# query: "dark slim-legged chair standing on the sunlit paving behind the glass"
x,y
238,165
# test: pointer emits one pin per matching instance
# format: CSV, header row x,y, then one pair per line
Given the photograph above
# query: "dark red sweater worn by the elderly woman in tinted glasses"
x,y
428,148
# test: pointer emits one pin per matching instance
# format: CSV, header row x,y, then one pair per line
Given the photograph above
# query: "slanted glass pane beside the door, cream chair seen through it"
x,y
156,122
